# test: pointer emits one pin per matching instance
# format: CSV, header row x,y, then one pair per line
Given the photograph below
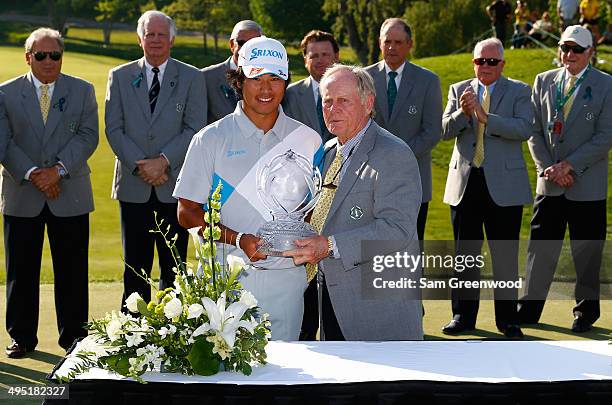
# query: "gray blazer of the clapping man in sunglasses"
x,y
508,126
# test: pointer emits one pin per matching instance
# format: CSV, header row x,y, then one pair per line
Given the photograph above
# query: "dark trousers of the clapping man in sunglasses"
x,y
502,226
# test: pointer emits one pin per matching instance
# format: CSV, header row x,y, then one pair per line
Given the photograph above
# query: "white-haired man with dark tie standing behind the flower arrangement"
x,y
154,106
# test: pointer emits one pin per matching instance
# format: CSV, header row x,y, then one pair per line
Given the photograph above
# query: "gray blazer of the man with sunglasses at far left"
x,y
70,136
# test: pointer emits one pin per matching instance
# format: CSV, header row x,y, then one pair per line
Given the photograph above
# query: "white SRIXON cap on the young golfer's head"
x,y
263,55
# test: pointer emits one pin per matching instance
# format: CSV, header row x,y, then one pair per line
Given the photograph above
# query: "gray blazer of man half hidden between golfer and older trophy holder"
x,y
299,104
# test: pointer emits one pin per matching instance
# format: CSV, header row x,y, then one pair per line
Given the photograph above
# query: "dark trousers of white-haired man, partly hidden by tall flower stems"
x,y
137,219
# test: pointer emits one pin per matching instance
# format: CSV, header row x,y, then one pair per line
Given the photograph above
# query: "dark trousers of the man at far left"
x,y
23,243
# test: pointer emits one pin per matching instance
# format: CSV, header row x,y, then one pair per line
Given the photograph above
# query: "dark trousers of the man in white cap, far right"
x,y
587,227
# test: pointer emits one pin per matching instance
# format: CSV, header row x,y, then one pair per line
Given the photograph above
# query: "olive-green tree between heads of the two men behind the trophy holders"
x,y
359,21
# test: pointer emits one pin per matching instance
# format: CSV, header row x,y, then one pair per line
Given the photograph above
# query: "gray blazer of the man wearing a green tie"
x,y
417,113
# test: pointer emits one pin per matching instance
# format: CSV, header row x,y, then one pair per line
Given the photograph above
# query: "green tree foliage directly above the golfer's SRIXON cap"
x,y
288,19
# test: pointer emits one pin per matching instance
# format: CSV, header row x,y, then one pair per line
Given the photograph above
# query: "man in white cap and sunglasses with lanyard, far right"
x,y
571,137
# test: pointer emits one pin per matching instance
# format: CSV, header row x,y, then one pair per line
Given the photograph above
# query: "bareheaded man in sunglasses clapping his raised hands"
x,y
489,117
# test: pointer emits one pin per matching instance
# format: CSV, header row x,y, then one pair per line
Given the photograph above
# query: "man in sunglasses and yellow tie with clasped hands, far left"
x,y
51,120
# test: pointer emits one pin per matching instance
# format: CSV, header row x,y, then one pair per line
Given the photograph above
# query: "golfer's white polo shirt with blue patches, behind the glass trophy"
x,y
232,150
